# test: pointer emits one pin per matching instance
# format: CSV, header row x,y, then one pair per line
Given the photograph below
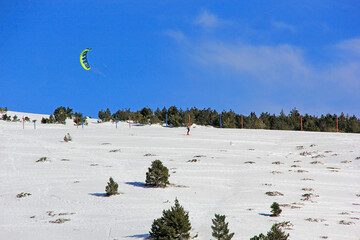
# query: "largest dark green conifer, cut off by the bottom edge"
x,y
174,224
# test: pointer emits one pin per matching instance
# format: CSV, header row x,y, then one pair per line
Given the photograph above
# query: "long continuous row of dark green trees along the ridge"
x,y
177,117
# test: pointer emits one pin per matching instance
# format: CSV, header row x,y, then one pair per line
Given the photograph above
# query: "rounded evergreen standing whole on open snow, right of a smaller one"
x,y
158,175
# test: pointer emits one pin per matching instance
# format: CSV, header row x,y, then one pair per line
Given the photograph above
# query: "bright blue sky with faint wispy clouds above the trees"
x,y
250,55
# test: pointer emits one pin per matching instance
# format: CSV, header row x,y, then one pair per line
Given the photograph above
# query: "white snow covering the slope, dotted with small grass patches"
x,y
233,171
